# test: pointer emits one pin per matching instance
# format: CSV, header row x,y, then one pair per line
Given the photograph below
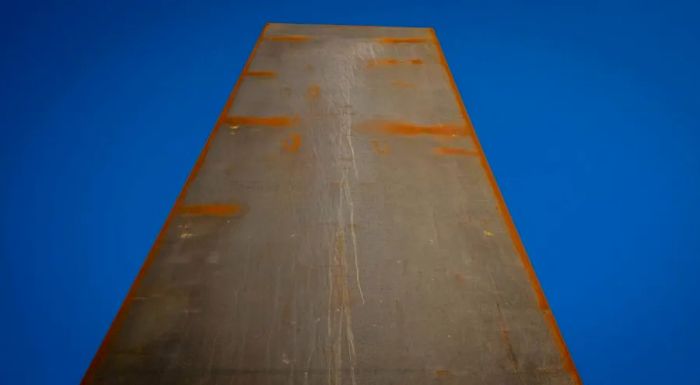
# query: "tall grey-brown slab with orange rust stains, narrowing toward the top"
x,y
339,228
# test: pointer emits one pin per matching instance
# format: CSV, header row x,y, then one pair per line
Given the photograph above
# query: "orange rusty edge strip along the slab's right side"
x,y
513,232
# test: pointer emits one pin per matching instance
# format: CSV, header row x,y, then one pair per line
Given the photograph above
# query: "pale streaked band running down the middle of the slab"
x,y
340,340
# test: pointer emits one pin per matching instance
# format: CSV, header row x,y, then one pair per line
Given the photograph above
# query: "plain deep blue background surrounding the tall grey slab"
x,y
588,113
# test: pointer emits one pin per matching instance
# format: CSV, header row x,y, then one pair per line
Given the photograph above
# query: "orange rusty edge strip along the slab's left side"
x,y
121,314
